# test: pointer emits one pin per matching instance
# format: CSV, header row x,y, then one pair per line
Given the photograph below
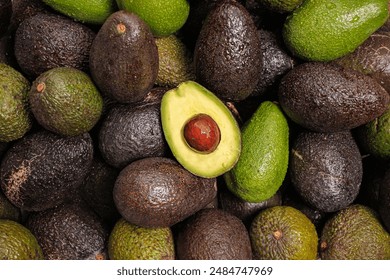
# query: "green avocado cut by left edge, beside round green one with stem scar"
x,y
15,117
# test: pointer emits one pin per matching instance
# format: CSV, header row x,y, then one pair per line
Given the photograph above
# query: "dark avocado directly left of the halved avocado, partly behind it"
x,y
131,132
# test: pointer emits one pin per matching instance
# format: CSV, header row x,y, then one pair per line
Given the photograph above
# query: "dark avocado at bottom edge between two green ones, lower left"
x,y
69,232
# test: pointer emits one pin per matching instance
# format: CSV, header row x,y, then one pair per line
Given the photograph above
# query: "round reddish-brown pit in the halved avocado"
x,y
202,133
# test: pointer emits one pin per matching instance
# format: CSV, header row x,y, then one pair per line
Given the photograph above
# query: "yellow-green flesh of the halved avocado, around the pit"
x,y
181,104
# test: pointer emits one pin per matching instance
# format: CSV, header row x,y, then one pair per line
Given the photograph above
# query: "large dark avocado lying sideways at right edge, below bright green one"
x,y
326,97
